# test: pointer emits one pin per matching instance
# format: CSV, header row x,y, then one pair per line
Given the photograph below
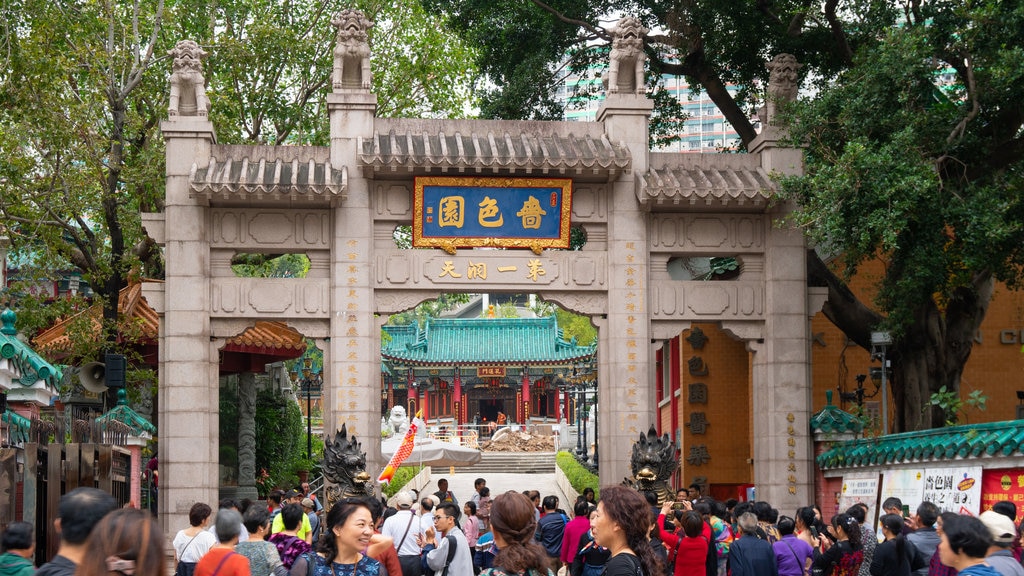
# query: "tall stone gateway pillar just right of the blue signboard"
x,y
626,394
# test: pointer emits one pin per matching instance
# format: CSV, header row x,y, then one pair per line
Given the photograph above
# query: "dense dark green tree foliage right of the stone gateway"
x,y
930,179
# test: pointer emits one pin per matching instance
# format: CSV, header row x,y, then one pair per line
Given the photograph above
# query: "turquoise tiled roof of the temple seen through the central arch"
x,y
487,341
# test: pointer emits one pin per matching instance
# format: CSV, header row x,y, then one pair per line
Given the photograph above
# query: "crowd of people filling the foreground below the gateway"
x,y
623,533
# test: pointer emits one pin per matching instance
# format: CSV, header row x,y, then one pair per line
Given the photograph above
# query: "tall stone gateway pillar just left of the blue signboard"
x,y
352,374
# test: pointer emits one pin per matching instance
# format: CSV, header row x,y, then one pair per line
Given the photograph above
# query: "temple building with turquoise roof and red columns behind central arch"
x,y
459,372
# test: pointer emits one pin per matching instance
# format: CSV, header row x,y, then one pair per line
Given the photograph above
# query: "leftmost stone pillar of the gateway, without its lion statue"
x,y
189,394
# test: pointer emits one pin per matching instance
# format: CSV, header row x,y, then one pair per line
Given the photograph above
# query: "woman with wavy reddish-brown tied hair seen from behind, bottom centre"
x,y
514,525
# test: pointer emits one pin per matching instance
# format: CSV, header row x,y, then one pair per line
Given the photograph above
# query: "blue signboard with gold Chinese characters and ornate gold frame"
x,y
455,213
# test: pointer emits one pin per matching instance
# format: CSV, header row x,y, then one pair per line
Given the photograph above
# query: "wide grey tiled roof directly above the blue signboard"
x,y
521,148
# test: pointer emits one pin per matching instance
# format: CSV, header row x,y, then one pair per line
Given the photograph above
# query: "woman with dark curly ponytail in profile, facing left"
x,y
621,524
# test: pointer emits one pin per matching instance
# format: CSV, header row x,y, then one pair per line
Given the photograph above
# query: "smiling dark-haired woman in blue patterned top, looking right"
x,y
344,546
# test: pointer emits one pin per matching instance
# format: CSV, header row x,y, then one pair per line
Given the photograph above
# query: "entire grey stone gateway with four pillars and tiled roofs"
x,y
340,205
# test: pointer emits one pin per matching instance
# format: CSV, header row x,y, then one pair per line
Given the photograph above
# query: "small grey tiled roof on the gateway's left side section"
x,y
257,173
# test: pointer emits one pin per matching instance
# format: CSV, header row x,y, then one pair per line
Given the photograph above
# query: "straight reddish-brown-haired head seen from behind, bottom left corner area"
x,y
126,542
